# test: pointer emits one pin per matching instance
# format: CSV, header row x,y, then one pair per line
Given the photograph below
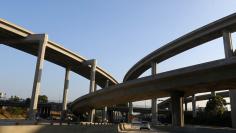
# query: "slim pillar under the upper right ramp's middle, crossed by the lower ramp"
x,y
154,100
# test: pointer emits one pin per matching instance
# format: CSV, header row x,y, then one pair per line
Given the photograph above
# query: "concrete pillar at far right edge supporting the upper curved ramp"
x,y
228,47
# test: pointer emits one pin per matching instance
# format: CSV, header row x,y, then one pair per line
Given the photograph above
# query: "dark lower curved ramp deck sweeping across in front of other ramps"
x,y
210,76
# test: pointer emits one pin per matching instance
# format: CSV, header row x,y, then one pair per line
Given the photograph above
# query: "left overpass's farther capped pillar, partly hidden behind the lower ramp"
x,y
93,64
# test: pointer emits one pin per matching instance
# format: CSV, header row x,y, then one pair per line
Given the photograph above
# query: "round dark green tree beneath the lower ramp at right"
x,y
216,106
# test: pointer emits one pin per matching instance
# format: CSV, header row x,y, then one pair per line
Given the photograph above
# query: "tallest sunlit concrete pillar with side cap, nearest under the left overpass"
x,y
43,39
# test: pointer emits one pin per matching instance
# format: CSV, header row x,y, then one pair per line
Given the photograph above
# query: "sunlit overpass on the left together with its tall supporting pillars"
x,y
39,45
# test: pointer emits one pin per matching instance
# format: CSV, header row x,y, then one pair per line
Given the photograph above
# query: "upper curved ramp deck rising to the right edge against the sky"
x,y
193,39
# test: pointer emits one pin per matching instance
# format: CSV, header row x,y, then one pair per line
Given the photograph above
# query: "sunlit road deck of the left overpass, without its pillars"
x,y
20,38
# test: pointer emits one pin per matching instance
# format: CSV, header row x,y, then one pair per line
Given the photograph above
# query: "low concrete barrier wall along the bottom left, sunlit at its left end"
x,y
58,129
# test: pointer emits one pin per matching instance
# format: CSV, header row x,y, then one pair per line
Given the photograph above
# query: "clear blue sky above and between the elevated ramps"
x,y
117,33
